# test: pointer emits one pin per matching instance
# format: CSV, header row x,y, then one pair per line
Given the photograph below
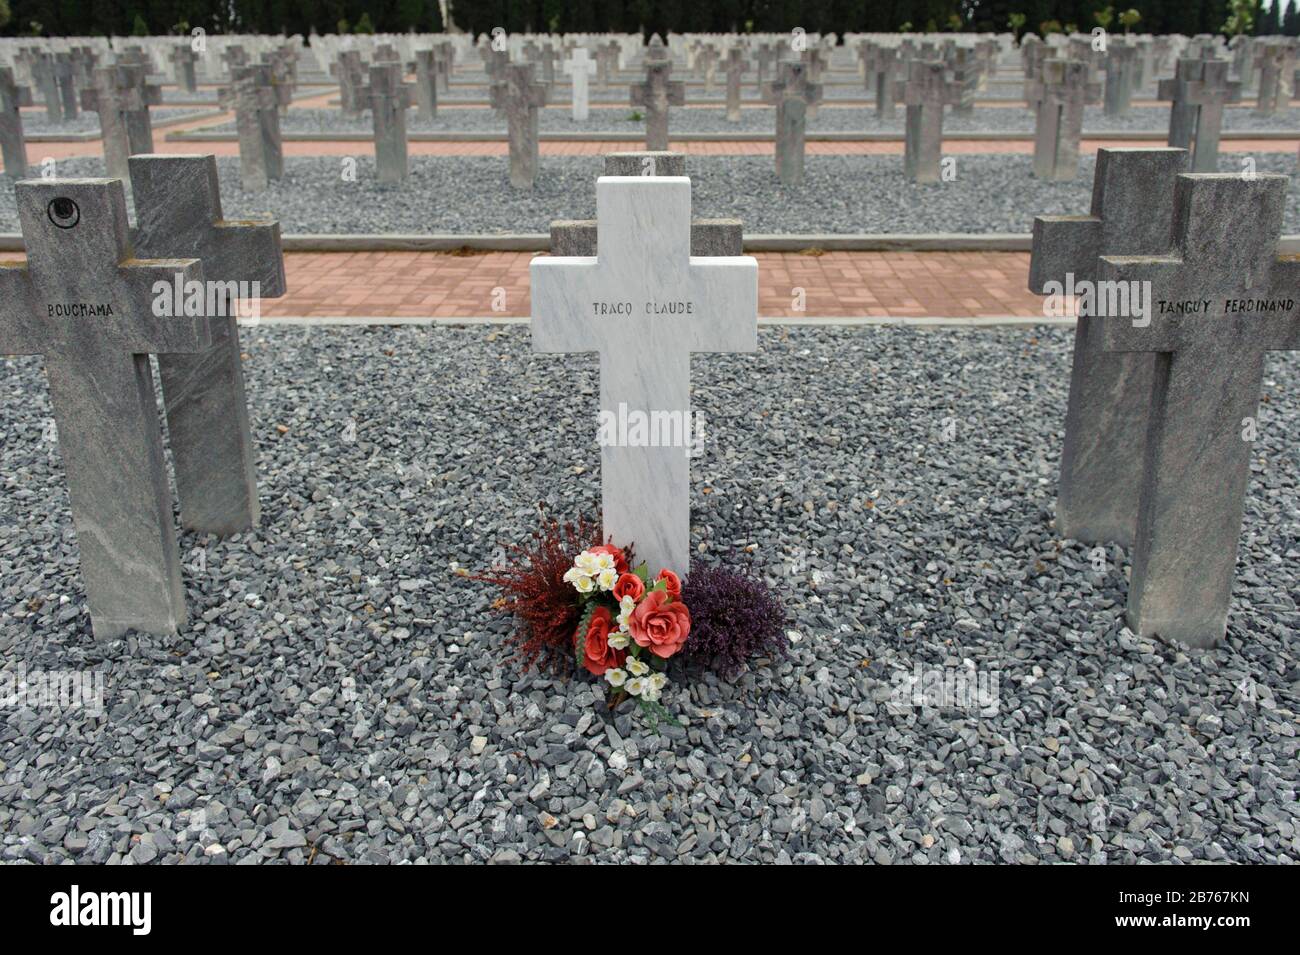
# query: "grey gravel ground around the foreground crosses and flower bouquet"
x,y
341,693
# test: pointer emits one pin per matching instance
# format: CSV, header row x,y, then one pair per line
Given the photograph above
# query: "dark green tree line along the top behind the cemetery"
x,y
155,18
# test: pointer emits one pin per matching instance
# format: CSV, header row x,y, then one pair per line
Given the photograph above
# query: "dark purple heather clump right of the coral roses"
x,y
734,618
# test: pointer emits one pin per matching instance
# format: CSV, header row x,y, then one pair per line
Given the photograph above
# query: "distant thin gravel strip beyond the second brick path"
x,y
759,120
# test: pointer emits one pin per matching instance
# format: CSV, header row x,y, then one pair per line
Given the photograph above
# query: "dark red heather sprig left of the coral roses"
x,y
536,593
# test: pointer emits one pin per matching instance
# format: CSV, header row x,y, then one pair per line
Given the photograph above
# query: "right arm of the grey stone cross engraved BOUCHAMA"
x,y
144,281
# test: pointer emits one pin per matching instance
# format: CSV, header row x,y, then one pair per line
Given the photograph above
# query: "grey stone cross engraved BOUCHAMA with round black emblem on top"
x,y
86,303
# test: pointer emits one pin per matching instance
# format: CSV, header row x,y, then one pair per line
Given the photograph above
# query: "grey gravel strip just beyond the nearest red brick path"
x,y
842,194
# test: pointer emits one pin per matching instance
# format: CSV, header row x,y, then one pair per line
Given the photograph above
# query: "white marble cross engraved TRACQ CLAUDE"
x,y
645,305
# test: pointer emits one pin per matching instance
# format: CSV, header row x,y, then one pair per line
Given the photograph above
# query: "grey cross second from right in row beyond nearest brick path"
x,y
1059,95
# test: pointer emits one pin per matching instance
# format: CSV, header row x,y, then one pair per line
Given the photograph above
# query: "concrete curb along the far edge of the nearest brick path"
x,y
540,242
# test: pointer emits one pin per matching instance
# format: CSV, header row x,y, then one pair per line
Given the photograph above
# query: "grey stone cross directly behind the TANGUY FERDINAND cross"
x,y
1107,414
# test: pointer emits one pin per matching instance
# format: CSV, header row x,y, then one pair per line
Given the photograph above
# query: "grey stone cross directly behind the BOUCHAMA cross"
x,y
179,212
